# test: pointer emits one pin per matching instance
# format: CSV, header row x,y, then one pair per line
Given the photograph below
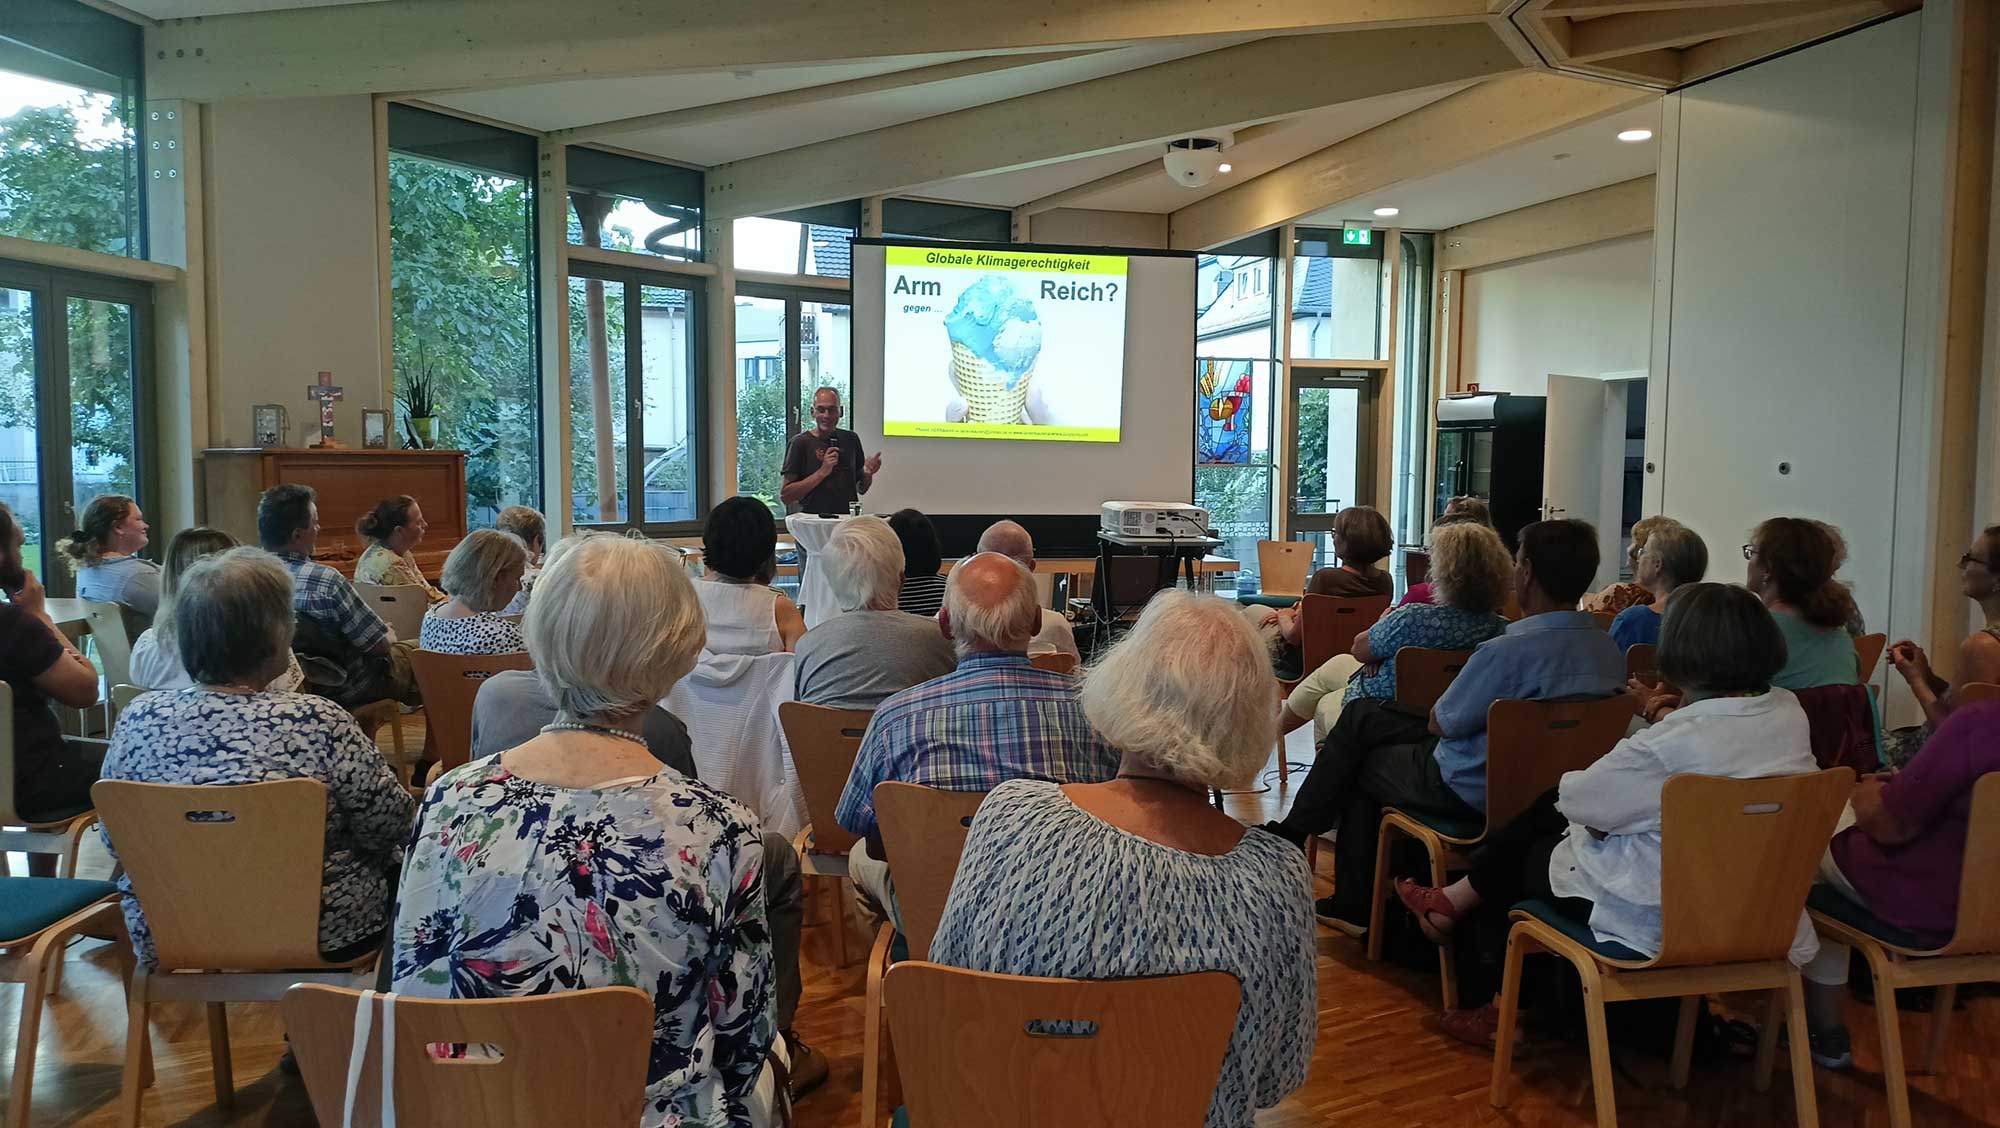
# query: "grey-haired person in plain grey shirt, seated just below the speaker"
x,y
871,649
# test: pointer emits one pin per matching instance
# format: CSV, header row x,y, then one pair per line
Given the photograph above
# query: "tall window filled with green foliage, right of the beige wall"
x,y
463,301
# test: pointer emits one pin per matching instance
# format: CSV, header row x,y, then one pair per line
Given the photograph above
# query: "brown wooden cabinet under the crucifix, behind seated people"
x,y
349,483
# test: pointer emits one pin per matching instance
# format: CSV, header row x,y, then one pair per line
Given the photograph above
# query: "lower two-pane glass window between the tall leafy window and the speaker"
x,y
635,401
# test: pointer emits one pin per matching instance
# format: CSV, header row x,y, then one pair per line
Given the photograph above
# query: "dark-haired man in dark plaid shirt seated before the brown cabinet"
x,y
333,621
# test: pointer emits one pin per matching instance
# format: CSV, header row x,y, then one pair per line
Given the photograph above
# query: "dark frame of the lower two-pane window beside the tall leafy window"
x,y
637,279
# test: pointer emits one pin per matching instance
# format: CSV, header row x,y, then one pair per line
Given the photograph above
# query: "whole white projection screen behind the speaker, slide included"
x,y
1141,381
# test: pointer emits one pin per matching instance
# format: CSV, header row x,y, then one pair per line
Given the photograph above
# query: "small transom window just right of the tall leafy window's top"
x,y
645,207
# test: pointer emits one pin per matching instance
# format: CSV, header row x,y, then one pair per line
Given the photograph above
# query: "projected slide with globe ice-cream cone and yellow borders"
x,y
1023,345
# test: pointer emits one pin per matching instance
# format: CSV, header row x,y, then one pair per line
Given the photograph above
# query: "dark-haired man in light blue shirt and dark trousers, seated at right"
x,y
1377,757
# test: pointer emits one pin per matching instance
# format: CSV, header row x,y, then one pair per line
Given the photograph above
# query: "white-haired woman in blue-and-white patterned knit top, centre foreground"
x,y
1141,877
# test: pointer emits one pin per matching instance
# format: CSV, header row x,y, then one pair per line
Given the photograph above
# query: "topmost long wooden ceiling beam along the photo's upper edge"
x,y
447,45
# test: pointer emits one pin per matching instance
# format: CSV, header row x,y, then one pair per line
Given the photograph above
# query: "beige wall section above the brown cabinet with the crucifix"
x,y
293,273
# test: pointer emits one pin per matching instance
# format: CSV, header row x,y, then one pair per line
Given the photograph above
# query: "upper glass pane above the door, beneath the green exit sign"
x,y
1339,297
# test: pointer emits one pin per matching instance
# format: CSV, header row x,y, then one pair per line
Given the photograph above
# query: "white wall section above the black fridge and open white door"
x,y
1581,313
